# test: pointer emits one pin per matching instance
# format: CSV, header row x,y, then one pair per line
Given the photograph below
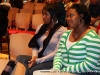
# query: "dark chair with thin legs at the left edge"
x,y
5,39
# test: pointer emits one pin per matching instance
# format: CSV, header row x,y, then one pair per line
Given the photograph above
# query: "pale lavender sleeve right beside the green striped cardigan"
x,y
51,55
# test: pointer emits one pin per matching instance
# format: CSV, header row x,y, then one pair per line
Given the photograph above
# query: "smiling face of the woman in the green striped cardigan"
x,y
73,18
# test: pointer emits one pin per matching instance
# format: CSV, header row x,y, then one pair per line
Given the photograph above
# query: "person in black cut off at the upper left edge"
x,y
3,18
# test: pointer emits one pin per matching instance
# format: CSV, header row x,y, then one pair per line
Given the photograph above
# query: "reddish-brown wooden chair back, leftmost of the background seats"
x,y
11,16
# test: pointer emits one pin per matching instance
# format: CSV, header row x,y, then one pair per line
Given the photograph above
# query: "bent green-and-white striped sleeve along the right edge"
x,y
92,58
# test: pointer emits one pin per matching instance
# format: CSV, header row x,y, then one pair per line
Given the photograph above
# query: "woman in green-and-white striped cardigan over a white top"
x,y
79,49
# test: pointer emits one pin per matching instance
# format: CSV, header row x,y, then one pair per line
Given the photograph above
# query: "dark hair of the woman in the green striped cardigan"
x,y
82,10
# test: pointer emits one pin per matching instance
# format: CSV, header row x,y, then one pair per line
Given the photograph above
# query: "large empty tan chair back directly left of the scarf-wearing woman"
x,y
19,44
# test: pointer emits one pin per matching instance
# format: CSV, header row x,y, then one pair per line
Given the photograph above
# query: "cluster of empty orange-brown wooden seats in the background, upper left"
x,y
14,15
